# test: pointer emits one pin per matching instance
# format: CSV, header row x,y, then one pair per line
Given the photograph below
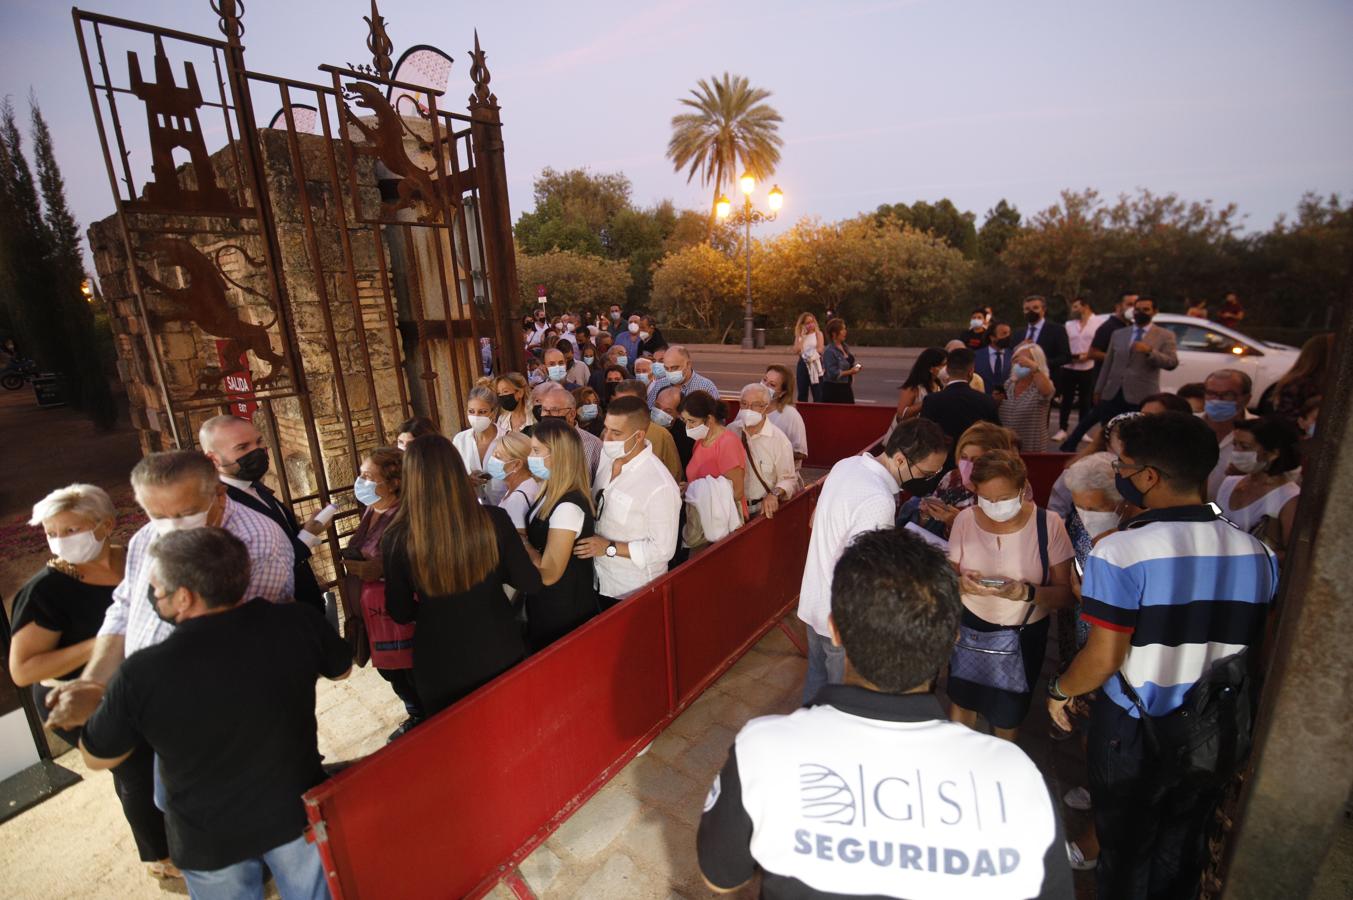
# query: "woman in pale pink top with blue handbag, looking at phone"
x,y
1015,568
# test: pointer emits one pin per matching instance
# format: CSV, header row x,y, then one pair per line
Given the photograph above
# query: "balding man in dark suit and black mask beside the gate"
x,y
236,449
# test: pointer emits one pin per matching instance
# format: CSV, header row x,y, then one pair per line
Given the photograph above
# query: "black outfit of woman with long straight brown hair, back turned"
x,y
463,641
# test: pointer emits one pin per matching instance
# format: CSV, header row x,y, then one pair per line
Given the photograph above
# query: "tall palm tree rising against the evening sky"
x,y
730,125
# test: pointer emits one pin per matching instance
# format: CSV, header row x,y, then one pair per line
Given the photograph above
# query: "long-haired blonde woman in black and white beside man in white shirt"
x,y
562,516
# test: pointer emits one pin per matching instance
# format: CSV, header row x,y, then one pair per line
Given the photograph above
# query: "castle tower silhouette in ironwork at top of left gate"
x,y
173,118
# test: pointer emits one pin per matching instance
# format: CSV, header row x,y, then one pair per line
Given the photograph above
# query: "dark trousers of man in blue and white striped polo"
x,y
1152,828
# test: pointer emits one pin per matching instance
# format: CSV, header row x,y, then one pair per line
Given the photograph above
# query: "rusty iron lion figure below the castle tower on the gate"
x,y
202,302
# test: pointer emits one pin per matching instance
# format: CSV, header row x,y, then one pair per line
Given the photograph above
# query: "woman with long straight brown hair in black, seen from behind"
x,y
446,561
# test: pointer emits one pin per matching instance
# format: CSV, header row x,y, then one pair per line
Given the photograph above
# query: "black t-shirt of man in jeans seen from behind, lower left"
x,y
228,703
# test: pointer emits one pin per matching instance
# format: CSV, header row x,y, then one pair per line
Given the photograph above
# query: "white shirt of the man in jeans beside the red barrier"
x,y
860,496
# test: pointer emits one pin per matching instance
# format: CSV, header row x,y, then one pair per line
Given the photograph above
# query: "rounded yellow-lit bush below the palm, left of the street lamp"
x,y
699,288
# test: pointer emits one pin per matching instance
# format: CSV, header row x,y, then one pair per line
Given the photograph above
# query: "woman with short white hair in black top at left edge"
x,y
56,619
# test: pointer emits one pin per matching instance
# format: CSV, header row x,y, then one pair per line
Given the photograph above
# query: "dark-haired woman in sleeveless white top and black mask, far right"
x,y
1263,499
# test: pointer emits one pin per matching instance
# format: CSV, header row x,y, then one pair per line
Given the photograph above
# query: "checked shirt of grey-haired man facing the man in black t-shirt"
x,y
273,577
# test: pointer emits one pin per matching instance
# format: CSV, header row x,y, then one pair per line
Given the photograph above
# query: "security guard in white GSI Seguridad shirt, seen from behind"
x,y
871,791
